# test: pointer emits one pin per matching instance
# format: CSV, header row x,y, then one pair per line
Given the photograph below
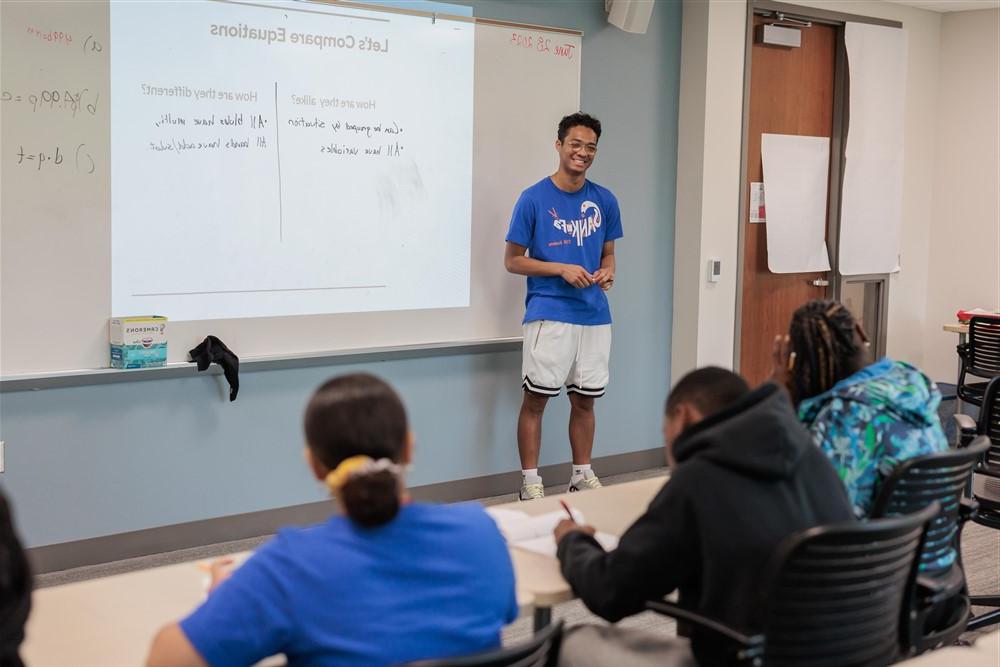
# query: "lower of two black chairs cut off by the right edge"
x,y
986,483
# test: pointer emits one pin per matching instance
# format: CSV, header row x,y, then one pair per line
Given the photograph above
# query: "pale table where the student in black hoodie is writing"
x,y
611,509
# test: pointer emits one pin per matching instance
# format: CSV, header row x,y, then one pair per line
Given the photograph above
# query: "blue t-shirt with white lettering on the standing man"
x,y
570,228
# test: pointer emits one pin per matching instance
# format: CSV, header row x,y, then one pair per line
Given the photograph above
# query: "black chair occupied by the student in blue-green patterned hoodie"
x,y
941,605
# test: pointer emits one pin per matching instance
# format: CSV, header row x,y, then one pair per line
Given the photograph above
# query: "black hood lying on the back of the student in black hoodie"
x,y
758,435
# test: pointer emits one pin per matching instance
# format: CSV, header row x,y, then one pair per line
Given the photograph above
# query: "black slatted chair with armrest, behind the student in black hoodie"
x,y
833,596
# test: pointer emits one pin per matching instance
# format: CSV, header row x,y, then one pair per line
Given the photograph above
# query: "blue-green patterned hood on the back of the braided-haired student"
x,y
888,386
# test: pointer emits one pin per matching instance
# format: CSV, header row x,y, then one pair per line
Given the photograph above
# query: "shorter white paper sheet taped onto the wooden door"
x,y
796,172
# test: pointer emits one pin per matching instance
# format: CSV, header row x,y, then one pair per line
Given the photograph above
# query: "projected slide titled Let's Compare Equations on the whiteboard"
x,y
273,159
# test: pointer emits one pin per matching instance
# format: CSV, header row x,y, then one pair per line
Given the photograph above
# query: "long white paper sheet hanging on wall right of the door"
x,y
872,203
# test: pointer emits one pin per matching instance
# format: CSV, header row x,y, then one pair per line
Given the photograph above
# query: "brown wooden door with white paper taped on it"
x,y
791,92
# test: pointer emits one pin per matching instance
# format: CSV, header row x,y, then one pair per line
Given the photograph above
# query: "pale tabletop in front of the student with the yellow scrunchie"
x,y
111,622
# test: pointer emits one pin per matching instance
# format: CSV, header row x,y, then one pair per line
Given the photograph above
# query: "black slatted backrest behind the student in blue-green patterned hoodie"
x,y
914,484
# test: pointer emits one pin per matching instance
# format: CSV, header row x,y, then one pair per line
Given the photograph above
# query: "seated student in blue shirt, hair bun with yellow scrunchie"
x,y
391,582
